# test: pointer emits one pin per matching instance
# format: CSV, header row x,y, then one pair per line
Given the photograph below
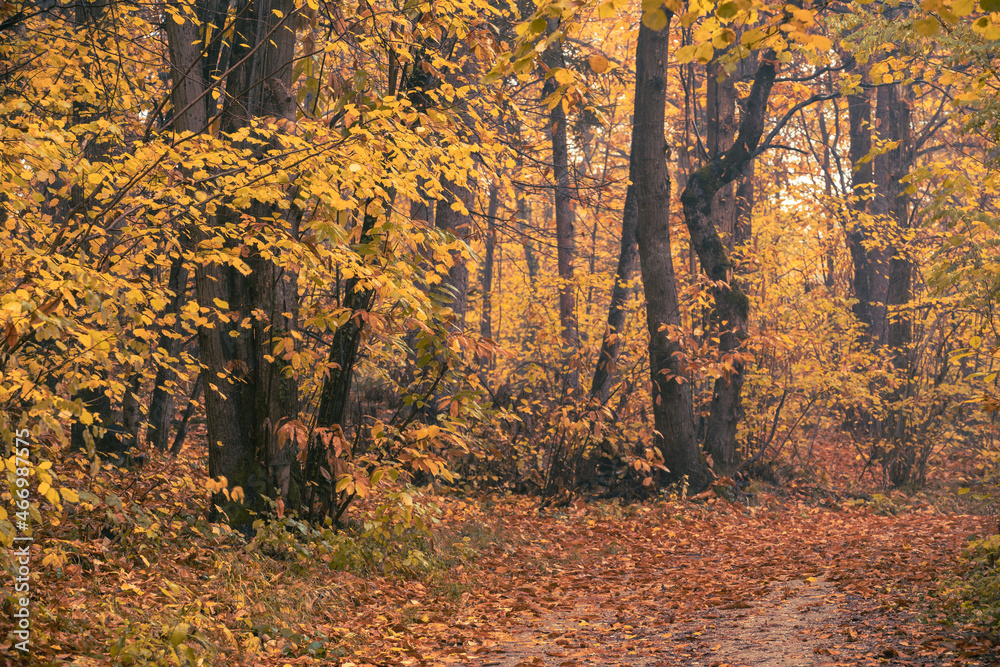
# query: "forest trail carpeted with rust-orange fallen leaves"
x,y
711,586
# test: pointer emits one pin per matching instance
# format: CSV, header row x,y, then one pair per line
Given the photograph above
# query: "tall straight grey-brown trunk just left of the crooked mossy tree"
x,y
672,402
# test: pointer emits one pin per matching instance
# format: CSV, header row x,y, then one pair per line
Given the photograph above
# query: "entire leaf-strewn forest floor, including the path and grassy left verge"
x,y
797,574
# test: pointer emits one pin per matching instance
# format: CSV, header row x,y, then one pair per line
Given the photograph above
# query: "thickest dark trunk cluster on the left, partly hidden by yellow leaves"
x,y
248,396
